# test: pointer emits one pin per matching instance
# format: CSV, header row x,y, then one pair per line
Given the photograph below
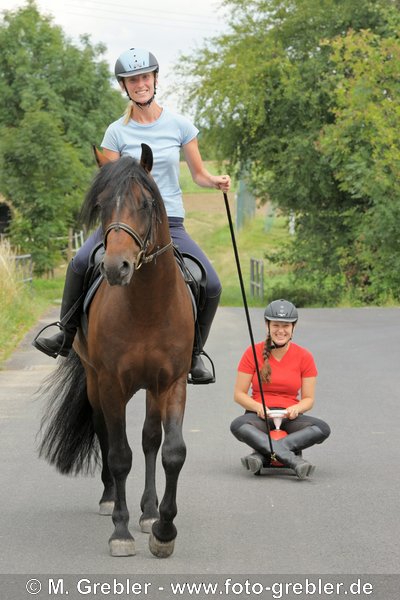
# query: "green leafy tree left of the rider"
x,y
56,101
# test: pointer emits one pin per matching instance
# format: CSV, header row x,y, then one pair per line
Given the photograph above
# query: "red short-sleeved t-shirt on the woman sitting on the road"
x,y
286,374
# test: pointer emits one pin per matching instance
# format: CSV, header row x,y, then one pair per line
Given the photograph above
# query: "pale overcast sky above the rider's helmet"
x,y
166,27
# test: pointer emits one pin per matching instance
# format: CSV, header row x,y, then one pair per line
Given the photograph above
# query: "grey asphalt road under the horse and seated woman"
x,y
342,521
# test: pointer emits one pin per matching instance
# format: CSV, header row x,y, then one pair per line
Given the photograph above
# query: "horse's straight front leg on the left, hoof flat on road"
x,y
121,543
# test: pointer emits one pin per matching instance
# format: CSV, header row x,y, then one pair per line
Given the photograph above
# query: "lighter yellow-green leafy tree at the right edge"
x,y
363,148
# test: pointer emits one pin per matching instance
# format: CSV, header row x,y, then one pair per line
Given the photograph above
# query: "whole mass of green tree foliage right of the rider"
x,y
280,95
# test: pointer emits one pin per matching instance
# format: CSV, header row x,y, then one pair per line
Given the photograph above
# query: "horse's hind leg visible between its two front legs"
x,y
151,442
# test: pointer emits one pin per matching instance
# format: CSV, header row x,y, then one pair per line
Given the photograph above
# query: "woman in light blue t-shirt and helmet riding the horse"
x,y
166,133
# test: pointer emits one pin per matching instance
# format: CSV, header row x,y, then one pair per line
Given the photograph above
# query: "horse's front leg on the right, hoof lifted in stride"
x,y
163,533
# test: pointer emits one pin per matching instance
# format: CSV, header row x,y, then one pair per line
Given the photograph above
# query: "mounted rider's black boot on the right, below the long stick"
x,y
199,374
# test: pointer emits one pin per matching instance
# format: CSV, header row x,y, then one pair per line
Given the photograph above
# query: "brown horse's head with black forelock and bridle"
x,y
130,207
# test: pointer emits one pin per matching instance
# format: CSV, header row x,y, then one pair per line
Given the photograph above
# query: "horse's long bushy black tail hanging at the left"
x,y
68,440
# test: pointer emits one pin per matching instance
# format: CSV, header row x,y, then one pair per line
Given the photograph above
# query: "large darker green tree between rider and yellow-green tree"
x,y
267,91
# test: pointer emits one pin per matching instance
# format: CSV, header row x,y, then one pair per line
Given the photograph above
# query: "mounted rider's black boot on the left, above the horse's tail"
x,y
61,343
